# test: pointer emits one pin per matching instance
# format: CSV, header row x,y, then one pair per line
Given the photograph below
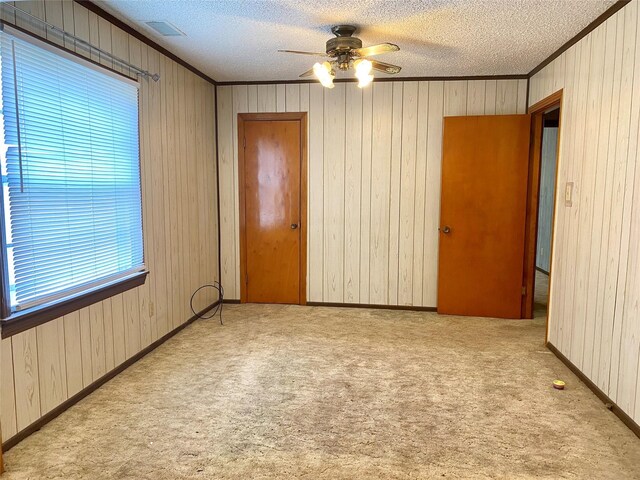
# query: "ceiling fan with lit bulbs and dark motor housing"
x,y
346,51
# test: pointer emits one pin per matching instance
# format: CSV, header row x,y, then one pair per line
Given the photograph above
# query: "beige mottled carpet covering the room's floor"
x,y
330,393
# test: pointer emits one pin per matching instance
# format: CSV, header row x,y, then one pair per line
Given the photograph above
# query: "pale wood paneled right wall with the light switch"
x,y
595,277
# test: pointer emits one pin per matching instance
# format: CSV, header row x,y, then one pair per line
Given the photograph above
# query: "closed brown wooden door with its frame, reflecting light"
x,y
271,186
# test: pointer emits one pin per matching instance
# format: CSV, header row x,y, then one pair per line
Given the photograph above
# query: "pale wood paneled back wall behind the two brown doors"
x,y
374,180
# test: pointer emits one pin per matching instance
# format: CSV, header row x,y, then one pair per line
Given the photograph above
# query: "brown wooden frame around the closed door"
x,y
301,117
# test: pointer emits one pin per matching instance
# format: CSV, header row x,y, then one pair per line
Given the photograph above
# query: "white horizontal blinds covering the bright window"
x,y
70,173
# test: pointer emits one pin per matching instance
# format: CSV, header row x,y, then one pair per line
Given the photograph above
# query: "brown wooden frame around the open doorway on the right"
x,y
531,235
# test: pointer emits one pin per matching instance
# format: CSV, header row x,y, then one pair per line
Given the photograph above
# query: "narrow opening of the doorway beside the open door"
x,y
546,196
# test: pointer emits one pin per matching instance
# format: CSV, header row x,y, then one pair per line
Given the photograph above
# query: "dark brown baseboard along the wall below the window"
x,y
47,417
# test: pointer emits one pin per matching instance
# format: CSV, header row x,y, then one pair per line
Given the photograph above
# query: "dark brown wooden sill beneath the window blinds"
x,y
22,321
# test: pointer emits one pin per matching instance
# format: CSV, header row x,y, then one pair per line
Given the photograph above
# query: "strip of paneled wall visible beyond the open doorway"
x,y
547,190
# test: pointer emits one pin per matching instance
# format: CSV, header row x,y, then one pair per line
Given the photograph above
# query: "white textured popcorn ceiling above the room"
x,y
236,40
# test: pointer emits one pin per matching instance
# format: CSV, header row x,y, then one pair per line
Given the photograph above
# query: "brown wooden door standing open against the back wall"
x,y
482,217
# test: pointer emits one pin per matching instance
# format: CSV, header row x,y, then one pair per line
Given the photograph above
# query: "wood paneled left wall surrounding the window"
x,y
44,366
